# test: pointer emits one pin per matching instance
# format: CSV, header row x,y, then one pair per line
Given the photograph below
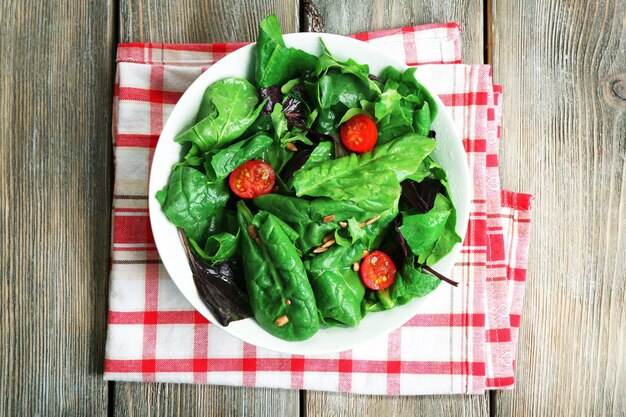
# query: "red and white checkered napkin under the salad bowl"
x,y
463,342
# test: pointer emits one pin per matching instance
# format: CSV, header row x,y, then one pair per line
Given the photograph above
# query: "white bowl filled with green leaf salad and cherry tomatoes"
x,y
307,192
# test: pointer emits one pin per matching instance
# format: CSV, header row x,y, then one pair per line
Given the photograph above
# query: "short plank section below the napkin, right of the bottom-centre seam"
x,y
339,404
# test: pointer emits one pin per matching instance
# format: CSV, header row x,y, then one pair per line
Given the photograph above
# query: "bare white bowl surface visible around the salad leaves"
x,y
449,153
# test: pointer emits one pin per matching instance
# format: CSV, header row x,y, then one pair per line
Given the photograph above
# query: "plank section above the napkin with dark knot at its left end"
x,y
352,16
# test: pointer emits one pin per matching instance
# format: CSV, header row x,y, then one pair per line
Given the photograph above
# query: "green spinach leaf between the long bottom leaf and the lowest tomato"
x,y
338,289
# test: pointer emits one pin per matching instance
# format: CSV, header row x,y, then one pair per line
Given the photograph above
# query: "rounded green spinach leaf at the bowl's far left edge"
x,y
192,203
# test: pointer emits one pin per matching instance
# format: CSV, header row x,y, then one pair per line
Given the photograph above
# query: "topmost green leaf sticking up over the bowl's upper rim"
x,y
275,63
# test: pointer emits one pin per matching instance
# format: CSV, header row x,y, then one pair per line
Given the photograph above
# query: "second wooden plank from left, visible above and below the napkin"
x,y
201,21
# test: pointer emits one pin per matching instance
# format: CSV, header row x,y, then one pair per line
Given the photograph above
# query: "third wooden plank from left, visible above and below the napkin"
x,y
359,16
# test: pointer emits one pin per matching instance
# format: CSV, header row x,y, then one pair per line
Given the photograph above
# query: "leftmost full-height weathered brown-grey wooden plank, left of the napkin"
x,y
56,66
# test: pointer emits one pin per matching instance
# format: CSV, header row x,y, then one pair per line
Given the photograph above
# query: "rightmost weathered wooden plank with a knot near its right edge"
x,y
563,68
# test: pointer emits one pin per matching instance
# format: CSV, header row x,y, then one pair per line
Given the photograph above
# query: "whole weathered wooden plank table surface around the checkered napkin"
x,y
563,67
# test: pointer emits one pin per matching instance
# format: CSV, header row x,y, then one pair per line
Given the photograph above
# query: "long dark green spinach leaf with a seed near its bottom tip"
x,y
278,288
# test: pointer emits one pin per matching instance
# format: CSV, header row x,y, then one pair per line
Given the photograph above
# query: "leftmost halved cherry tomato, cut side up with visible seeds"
x,y
252,179
